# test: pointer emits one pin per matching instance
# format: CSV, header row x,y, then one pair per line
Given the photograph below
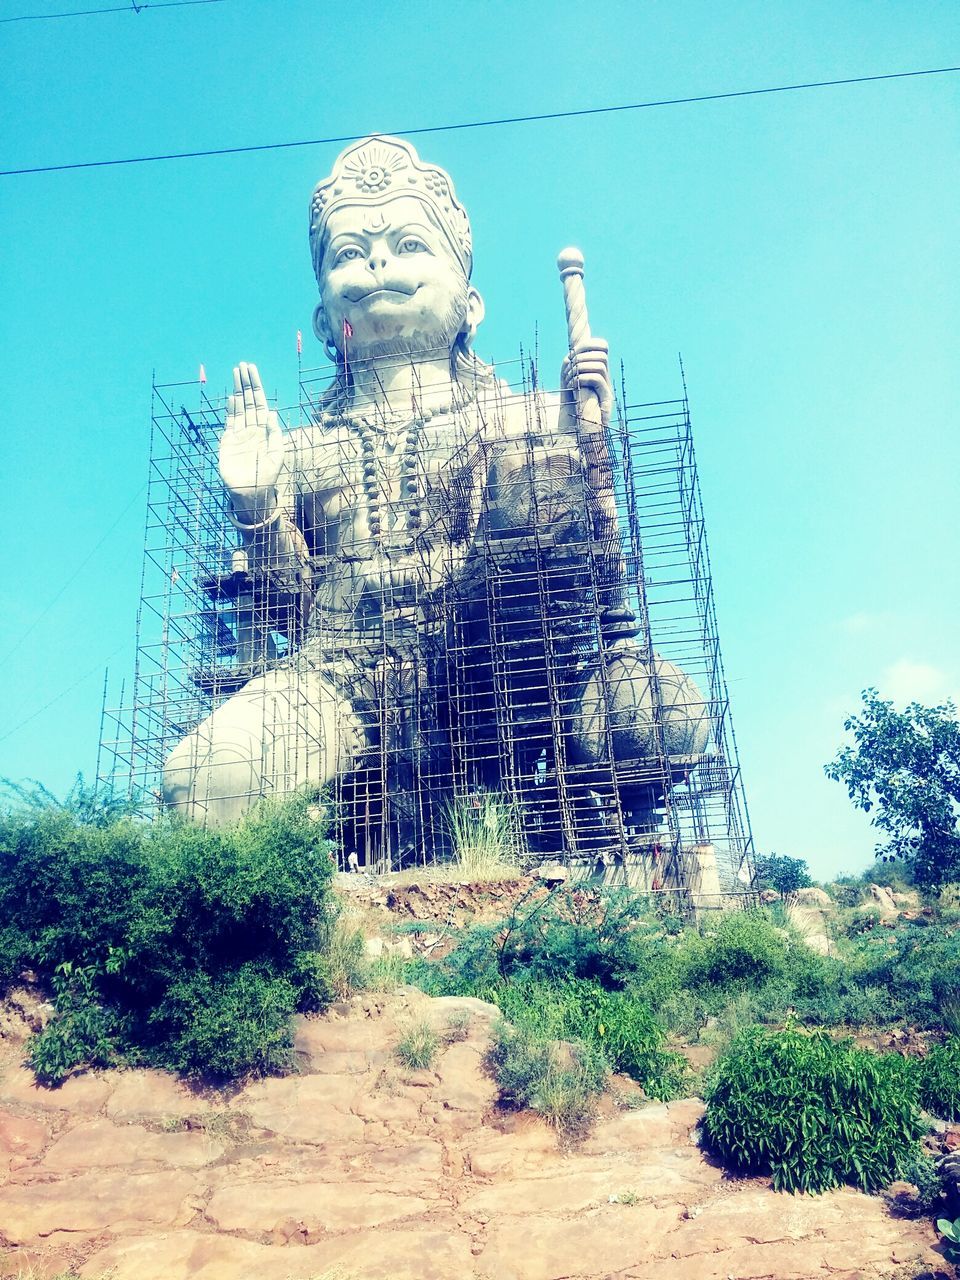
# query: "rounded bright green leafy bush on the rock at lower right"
x,y
812,1112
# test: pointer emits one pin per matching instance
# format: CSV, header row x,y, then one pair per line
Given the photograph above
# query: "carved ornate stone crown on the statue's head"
x,y
378,168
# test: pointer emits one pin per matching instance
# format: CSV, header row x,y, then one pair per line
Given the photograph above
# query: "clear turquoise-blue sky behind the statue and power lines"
x,y
801,250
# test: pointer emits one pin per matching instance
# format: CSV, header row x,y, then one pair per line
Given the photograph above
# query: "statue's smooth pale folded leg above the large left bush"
x,y
284,730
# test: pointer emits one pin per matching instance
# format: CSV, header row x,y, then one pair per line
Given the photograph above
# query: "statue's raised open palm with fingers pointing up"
x,y
252,447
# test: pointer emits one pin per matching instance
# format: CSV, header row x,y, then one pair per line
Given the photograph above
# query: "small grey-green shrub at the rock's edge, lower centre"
x,y
560,1082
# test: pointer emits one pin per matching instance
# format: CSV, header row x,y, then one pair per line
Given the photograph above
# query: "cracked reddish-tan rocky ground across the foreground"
x,y
360,1169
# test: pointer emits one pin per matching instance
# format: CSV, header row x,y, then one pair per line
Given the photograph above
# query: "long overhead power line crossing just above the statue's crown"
x,y
484,125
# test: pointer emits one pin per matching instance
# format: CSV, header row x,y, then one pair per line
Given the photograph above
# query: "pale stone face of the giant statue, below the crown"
x,y
391,273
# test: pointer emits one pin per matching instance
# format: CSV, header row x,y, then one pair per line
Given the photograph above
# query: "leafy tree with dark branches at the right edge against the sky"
x,y
904,767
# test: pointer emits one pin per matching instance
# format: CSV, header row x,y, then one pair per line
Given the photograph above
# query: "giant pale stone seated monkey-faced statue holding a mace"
x,y
444,555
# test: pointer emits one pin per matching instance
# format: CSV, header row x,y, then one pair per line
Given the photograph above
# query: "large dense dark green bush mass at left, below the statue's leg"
x,y
168,944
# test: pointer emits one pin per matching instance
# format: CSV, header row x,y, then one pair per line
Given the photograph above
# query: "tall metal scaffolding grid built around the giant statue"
x,y
465,671
